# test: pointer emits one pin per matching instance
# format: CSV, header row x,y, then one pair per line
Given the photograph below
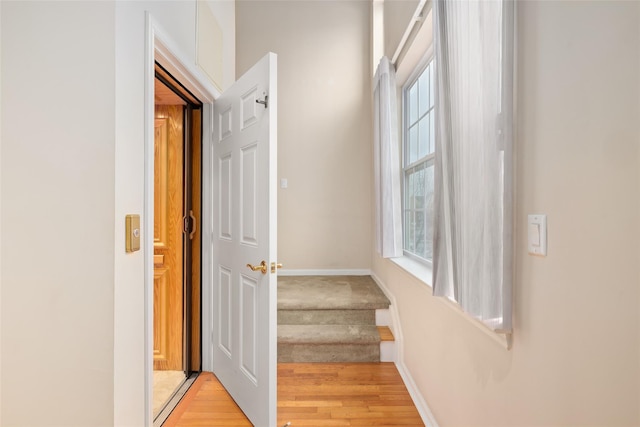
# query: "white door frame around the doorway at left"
x,y
160,47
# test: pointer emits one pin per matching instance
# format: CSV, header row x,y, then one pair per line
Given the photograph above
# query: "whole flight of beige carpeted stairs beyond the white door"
x,y
328,319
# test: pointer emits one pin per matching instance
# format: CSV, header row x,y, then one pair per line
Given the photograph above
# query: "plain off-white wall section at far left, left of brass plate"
x,y
58,147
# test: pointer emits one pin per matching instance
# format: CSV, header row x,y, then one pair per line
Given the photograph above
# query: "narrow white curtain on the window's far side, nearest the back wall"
x,y
386,157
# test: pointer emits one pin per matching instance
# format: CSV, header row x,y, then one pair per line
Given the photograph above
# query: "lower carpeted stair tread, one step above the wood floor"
x,y
328,334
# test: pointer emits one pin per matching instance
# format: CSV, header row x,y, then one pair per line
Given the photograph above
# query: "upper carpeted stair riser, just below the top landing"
x,y
326,317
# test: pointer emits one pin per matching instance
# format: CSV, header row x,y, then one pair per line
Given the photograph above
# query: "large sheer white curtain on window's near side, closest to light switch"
x,y
473,219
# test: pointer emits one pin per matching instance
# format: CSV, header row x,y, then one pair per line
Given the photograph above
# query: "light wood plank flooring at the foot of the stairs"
x,y
310,394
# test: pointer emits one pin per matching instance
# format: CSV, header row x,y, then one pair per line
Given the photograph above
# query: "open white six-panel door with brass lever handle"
x,y
244,235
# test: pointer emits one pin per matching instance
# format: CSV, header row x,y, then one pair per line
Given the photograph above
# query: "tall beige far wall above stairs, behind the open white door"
x,y
324,125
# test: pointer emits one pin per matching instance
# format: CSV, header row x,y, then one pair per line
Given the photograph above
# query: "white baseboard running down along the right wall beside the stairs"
x,y
418,400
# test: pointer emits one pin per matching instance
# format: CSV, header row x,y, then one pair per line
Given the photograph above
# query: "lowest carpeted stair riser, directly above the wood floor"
x,y
327,353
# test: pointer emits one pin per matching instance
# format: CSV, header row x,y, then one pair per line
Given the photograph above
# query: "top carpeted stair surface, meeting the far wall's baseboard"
x,y
330,293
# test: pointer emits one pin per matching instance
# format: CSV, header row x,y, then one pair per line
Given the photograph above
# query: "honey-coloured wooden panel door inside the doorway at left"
x,y
167,239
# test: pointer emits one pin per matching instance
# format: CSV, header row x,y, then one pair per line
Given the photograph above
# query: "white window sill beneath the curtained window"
x,y
424,272
